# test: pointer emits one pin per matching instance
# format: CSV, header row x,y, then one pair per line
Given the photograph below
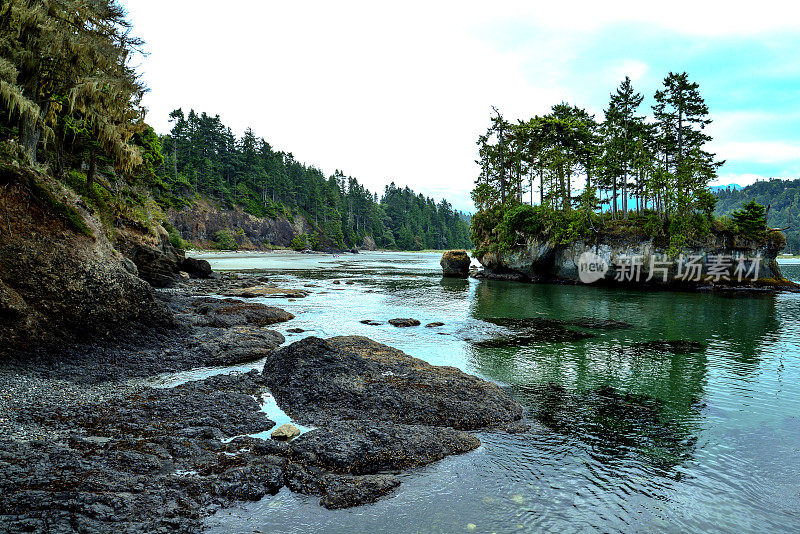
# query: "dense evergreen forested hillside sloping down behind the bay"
x,y
204,159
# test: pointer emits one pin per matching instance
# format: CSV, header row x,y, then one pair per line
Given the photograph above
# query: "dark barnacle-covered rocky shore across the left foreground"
x,y
90,444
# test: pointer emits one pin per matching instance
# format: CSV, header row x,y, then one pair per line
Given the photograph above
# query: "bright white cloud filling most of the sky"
x,y
394,91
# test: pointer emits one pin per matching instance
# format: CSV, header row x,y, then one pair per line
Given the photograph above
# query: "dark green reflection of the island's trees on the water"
x,y
626,393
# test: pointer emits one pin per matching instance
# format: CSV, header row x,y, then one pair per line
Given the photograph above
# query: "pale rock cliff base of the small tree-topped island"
x,y
722,260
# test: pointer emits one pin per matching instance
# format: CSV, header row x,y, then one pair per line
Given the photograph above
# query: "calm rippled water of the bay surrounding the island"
x,y
706,441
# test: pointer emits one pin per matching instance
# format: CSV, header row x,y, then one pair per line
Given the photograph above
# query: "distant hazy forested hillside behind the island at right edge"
x,y
783,199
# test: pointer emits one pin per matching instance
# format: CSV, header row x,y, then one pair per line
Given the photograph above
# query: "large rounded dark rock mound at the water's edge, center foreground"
x,y
317,381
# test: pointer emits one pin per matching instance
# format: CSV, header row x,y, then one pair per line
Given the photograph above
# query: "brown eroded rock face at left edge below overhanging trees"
x,y
56,284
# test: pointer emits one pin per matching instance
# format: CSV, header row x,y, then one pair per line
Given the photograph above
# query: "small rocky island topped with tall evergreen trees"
x,y
630,193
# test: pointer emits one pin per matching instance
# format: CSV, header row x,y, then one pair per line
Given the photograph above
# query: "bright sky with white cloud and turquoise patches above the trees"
x,y
400,91
